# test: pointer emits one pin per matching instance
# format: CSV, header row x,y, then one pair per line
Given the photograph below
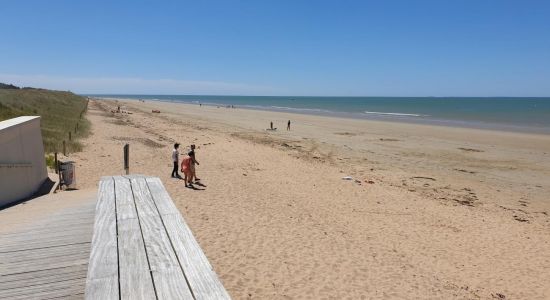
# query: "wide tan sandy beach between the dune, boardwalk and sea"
x,y
450,213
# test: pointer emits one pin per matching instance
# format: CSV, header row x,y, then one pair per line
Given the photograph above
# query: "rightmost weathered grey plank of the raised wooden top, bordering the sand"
x,y
202,279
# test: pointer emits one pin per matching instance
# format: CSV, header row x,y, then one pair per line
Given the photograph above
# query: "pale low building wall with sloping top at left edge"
x,y
22,163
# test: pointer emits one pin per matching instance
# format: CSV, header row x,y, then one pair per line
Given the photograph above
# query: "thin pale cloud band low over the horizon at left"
x,y
129,85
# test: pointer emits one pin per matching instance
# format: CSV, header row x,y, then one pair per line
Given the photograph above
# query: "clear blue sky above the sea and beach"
x,y
348,48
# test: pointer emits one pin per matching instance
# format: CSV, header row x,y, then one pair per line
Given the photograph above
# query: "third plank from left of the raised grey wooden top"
x,y
168,277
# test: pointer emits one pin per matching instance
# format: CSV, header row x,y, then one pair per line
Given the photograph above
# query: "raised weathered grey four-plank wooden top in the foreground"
x,y
143,249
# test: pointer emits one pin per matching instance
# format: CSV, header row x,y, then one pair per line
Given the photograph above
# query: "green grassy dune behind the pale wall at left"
x,y
61,112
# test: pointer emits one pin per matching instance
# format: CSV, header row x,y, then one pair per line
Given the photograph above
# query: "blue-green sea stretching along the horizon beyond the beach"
x,y
524,114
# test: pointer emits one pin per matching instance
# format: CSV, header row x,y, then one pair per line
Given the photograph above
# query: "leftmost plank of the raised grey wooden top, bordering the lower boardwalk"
x,y
102,280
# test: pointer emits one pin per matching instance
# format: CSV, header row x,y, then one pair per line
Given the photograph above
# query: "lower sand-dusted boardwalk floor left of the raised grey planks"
x,y
45,246
